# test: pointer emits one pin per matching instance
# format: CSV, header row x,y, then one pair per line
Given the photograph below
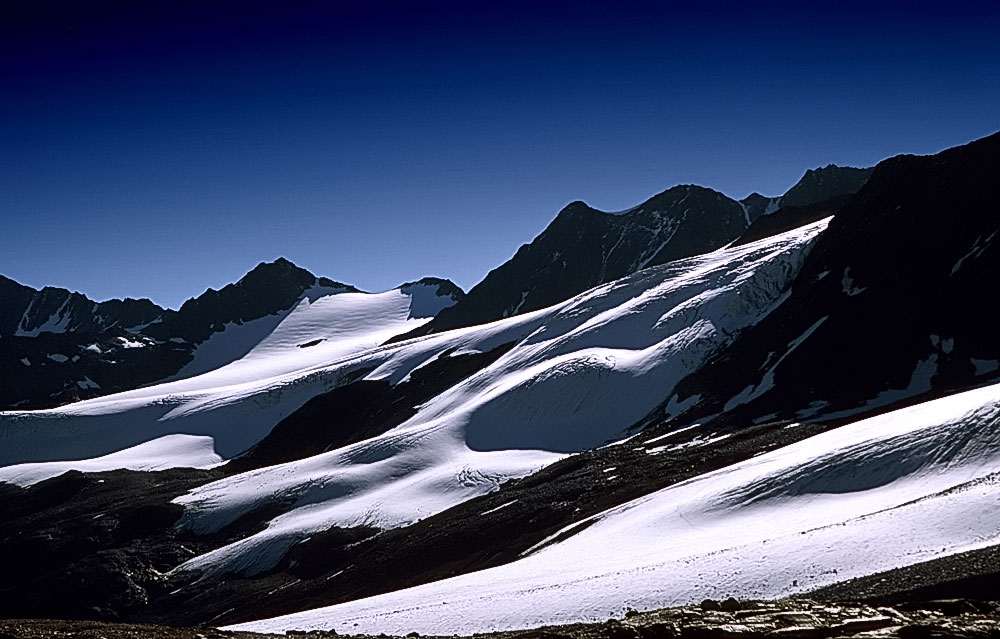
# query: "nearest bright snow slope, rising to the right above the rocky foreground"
x,y
893,490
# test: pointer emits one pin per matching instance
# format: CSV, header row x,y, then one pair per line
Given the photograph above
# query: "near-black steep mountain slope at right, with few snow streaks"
x,y
892,302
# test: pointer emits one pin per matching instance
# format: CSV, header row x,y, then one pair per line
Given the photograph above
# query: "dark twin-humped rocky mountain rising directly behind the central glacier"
x,y
584,247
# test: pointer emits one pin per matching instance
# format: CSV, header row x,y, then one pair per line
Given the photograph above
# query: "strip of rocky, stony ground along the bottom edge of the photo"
x,y
791,618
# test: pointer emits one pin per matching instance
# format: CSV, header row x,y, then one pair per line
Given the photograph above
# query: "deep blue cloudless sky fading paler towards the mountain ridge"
x,y
156,149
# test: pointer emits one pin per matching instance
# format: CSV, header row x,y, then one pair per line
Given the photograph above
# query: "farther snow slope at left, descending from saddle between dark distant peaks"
x,y
235,404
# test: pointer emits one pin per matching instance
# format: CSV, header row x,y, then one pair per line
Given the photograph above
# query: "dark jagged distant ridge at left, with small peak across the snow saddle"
x,y
58,347
